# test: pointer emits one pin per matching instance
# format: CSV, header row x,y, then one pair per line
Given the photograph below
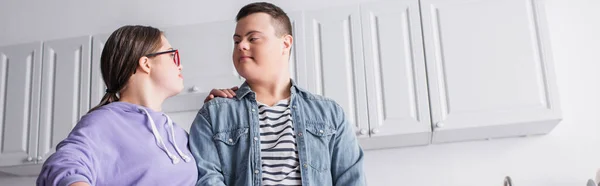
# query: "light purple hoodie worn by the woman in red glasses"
x,y
122,144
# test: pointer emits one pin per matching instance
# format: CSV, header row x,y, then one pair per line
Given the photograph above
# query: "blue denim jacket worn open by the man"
x,y
225,141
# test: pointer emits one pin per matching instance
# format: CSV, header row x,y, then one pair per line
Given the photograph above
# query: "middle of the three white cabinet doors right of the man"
x,y
395,73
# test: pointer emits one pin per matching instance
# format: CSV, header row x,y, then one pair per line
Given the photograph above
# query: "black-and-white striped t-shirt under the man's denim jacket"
x,y
279,155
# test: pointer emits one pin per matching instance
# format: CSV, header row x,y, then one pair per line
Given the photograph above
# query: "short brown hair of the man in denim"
x,y
279,19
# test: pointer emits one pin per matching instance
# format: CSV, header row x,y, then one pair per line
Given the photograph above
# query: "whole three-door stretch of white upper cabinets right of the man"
x,y
467,69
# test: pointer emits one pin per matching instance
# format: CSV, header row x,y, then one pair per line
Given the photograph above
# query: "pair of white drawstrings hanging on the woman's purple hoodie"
x,y
160,141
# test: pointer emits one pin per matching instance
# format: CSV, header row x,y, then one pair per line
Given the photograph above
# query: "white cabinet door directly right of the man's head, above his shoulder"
x,y
335,67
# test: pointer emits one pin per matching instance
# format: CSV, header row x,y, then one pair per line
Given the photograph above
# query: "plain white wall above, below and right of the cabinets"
x,y
568,156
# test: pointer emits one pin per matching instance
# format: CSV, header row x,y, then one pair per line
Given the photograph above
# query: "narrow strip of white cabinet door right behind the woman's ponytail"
x,y
97,86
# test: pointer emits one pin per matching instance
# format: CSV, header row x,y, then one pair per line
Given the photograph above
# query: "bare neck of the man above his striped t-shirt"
x,y
270,93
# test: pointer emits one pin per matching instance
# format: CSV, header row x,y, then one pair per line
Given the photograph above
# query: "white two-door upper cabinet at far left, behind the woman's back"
x,y
44,90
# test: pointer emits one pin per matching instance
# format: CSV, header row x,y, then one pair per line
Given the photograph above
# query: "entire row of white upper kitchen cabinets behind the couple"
x,y
406,72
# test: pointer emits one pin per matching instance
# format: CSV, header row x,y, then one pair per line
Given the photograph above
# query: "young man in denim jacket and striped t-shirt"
x,y
272,132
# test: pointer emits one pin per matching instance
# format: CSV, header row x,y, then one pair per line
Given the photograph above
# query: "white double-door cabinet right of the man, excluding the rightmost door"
x,y
369,59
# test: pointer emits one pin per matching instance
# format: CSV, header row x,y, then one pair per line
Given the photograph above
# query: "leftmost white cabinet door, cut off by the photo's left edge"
x,y
20,76
